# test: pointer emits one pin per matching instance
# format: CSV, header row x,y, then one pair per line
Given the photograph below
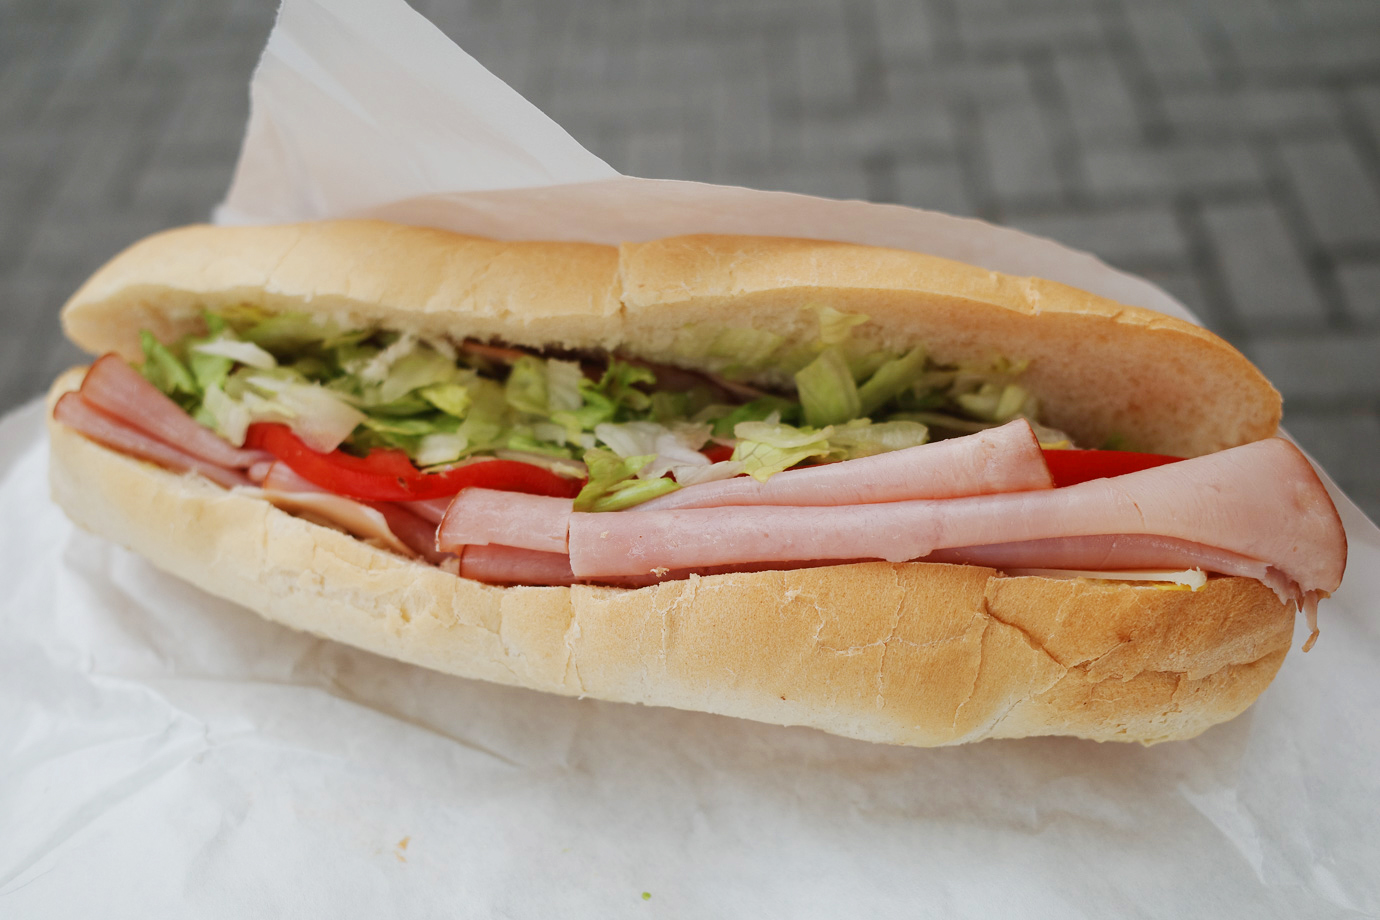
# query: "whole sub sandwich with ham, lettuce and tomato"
x,y
809,483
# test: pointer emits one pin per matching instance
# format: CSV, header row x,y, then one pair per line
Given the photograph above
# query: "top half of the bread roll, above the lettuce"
x,y
1101,369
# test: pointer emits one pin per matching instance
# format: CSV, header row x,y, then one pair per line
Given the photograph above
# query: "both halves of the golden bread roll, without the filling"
x,y
916,654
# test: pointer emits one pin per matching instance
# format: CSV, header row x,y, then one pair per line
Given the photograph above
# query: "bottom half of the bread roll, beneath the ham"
x,y
910,654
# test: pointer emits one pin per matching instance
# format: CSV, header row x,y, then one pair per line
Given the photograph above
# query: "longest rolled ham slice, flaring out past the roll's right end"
x,y
1262,501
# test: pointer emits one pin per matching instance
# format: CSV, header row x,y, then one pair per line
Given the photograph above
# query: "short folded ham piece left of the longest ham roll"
x,y
509,519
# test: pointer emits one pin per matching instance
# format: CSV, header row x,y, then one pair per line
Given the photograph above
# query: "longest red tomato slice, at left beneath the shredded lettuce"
x,y
388,477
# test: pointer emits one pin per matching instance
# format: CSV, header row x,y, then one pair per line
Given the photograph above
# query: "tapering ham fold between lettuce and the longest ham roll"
x,y
1000,460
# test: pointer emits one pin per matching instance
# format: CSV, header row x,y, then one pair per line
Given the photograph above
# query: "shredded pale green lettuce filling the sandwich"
x,y
362,388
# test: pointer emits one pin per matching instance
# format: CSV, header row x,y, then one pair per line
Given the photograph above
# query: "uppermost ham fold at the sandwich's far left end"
x,y
121,391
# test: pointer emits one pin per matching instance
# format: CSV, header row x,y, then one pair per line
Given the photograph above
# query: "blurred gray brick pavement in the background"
x,y
1228,150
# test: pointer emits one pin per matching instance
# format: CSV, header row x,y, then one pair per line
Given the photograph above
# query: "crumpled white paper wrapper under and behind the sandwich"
x,y
169,755
